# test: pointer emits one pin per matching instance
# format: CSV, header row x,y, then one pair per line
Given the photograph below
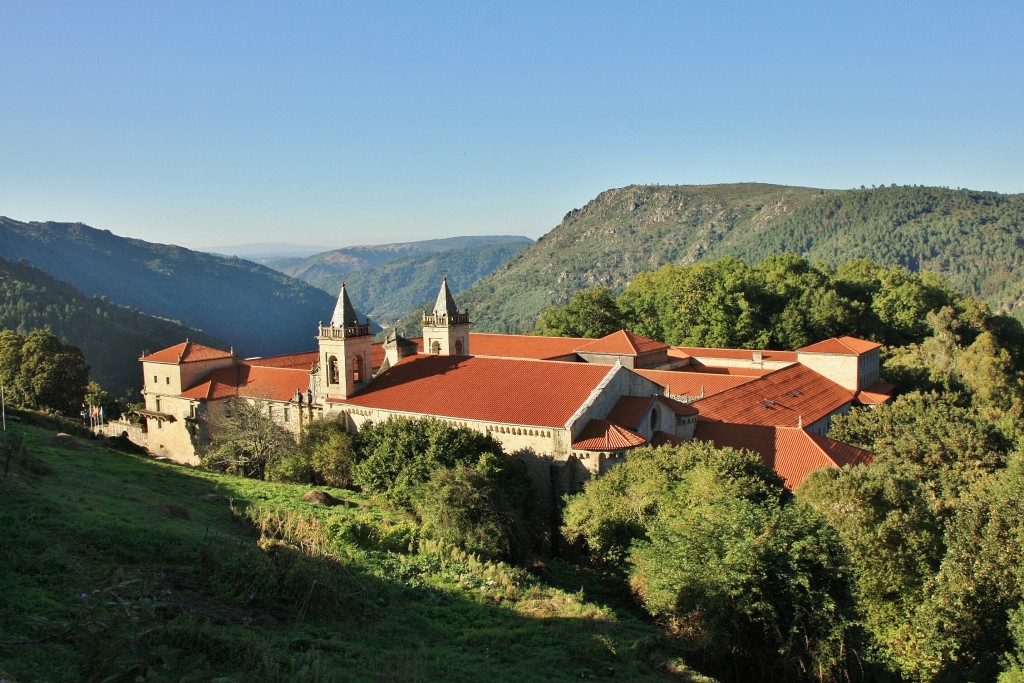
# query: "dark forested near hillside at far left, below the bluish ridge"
x,y
112,337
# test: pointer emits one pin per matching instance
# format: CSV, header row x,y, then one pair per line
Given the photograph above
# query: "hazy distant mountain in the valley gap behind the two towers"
x,y
327,271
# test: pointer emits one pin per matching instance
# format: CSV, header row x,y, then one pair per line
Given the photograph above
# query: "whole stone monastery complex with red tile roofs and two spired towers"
x,y
570,408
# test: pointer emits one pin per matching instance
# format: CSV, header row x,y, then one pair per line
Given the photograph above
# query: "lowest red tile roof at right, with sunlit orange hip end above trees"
x,y
791,452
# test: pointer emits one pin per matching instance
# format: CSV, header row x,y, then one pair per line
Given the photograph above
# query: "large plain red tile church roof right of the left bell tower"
x,y
504,391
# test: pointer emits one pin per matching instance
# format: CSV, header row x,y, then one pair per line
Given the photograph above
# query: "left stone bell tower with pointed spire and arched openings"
x,y
346,352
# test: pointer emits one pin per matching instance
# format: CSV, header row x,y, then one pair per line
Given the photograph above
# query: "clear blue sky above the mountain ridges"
x,y
331,123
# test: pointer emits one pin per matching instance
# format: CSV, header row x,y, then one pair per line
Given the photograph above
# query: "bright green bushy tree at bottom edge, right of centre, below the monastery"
x,y
761,591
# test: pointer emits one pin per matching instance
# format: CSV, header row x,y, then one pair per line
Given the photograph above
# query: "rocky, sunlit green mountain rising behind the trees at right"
x,y
973,239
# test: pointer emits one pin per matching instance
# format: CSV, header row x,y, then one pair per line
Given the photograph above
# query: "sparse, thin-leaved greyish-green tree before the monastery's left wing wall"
x,y
247,440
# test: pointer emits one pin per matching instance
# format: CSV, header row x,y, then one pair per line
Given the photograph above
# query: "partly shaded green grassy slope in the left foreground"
x,y
99,574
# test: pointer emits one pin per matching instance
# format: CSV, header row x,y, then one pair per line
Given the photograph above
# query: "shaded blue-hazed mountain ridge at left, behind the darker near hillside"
x,y
258,310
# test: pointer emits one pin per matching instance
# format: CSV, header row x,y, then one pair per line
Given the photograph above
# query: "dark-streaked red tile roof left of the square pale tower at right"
x,y
781,399
